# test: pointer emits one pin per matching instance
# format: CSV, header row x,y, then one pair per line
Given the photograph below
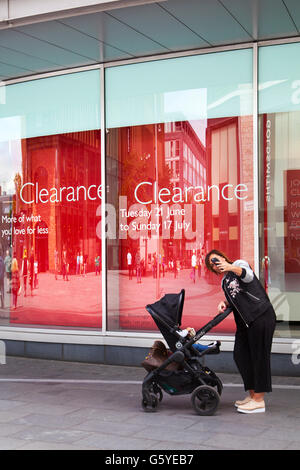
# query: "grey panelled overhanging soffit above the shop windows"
x,y
143,30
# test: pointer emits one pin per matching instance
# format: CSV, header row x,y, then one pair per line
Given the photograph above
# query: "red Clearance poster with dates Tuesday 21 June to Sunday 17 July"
x,y
178,190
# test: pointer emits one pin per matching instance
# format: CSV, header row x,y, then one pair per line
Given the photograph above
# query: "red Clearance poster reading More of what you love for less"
x,y
51,231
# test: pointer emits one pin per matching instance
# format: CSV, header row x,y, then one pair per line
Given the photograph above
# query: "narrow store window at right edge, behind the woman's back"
x,y
279,108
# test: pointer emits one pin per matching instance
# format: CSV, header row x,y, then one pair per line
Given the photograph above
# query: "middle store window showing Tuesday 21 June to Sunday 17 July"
x,y
179,158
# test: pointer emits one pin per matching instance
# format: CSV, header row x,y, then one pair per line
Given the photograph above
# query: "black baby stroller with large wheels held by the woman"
x,y
189,376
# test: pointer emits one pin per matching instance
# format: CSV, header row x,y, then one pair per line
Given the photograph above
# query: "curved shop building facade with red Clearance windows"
x,y
127,154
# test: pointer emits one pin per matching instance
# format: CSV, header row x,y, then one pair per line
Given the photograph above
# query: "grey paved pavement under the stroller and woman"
x,y
52,405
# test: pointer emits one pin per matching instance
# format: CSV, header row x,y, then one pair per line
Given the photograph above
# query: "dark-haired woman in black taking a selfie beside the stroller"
x,y
255,320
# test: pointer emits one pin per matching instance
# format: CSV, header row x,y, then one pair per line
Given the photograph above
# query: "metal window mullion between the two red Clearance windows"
x,y
103,199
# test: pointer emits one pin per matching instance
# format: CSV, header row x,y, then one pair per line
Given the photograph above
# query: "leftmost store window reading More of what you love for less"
x,y
51,201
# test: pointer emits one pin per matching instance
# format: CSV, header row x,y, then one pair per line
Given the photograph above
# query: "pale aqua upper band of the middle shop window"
x,y
188,88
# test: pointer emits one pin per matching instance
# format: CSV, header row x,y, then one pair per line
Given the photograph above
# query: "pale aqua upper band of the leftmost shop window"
x,y
50,106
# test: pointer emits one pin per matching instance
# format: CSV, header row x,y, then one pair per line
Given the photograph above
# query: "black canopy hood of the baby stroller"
x,y
167,313
